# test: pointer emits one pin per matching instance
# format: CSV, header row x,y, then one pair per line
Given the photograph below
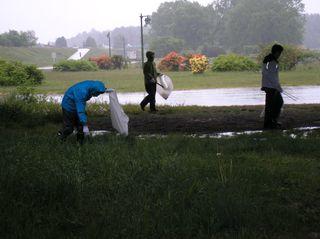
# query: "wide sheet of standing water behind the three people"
x,y
214,97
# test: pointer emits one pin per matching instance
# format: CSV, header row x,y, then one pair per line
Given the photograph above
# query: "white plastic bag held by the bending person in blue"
x,y
118,118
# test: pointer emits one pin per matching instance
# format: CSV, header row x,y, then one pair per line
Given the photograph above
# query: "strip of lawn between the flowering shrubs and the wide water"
x,y
131,80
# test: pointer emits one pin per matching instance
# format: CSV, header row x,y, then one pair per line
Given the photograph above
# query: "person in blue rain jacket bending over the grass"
x,y
74,107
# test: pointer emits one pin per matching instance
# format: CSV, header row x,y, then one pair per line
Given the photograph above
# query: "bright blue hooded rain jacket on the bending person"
x,y
76,97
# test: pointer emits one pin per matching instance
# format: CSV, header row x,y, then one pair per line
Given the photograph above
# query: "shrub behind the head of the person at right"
x,y
289,58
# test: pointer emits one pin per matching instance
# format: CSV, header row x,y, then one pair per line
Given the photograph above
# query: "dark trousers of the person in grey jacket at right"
x,y
274,103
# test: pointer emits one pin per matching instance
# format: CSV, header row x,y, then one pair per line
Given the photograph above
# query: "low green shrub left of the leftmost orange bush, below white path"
x,y
73,65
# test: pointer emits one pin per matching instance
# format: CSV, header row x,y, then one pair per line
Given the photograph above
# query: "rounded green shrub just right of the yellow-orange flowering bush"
x,y
233,62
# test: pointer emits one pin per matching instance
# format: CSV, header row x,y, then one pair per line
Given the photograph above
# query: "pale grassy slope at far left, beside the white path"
x,y
35,55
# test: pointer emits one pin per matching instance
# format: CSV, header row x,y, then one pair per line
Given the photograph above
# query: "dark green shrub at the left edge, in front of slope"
x,y
15,73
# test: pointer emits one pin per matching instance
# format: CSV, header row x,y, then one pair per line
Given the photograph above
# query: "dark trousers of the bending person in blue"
x,y
70,122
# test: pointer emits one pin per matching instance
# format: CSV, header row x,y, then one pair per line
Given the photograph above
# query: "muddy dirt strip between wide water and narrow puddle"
x,y
195,120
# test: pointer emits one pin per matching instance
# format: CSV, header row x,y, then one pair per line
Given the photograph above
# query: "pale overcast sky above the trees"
x,y
54,18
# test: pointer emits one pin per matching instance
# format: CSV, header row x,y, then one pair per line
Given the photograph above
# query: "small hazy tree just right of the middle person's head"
x,y
164,45
